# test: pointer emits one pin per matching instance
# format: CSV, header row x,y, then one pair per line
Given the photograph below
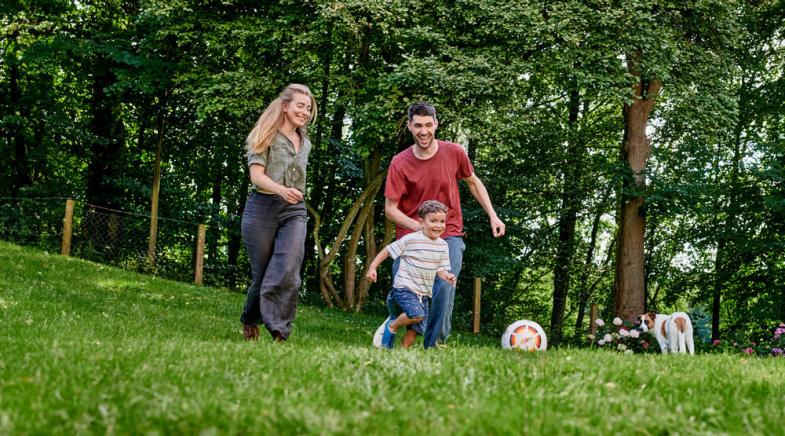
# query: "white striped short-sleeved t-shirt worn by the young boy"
x,y
421,257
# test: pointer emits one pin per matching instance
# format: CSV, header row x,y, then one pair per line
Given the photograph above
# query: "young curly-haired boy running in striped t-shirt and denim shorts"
x,y
423,255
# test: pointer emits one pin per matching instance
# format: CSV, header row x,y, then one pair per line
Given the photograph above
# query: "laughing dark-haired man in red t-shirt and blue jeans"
x,y
430,170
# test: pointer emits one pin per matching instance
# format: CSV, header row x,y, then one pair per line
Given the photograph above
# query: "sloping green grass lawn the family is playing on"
x,y
86,348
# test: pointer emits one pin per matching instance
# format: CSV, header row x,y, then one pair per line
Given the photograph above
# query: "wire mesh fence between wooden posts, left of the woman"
x,y
122,239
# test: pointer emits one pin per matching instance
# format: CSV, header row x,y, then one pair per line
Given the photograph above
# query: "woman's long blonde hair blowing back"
x,y
272,119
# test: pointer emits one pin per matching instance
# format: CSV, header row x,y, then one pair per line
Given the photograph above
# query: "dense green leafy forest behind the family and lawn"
x,y
635,149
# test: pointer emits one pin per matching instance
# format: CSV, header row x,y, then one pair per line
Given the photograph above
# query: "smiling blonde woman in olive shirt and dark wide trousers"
x,y
273,225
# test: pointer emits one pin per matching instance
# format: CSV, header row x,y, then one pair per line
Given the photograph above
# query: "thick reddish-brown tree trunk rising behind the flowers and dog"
x,y
629,283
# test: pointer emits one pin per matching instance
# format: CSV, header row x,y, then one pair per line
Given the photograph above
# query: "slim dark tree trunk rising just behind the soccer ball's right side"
x,y
568,217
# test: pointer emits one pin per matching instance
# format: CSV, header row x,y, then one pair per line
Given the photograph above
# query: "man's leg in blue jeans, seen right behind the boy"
x,y
439,319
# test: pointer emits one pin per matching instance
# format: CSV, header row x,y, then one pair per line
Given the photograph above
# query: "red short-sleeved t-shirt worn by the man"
x,y
410,181
